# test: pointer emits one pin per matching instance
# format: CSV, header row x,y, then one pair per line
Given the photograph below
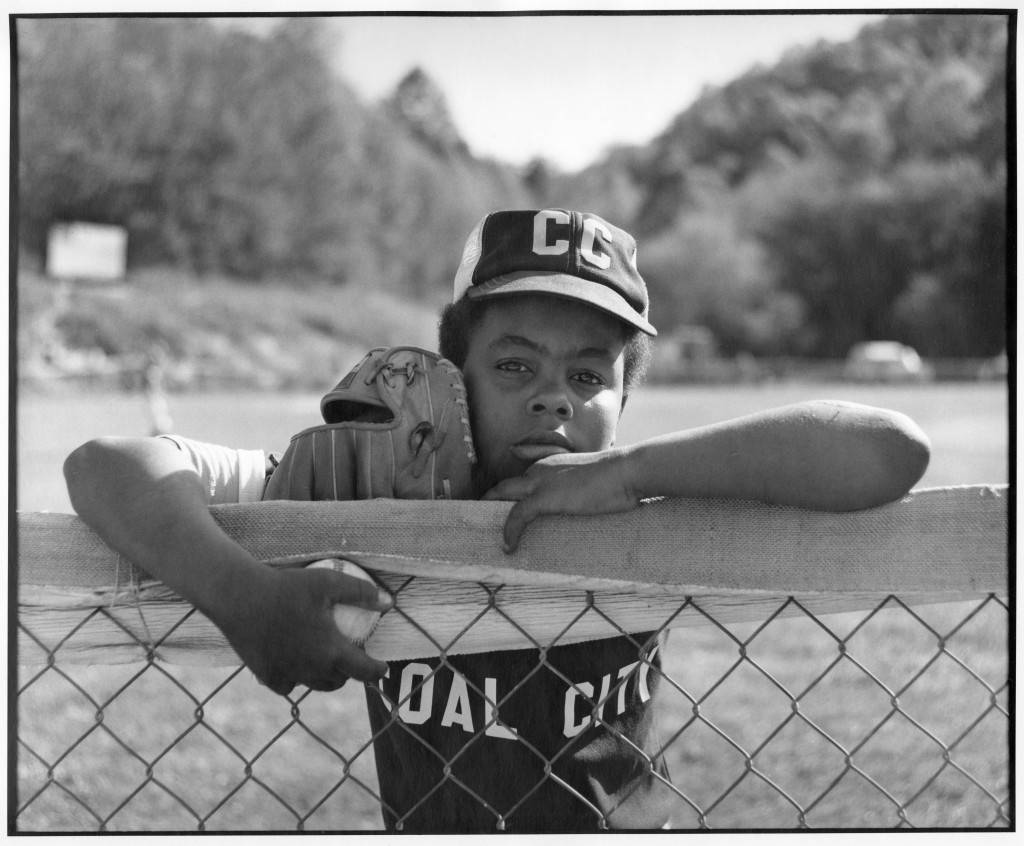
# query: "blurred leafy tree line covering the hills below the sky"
x,y
850,192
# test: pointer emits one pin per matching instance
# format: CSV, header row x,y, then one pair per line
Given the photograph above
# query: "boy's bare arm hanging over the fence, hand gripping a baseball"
x,y
145,499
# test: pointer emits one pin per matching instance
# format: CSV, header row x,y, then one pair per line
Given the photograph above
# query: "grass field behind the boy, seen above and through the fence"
x,y
124,745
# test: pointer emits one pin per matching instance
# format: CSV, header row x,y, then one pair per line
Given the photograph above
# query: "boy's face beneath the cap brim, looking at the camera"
x,y
544,376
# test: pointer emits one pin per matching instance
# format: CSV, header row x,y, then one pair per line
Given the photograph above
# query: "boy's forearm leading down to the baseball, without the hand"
x,y
145,500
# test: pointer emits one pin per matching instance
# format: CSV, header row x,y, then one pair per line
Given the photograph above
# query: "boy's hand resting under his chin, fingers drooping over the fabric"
x,y
572,484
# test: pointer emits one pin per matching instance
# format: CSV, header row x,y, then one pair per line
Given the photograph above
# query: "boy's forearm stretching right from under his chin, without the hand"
x,y
824,455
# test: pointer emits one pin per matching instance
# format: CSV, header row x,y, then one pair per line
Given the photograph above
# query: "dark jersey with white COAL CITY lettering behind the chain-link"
x,y
572,746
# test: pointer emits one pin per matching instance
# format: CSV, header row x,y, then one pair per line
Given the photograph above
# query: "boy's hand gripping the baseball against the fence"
x,y
283,628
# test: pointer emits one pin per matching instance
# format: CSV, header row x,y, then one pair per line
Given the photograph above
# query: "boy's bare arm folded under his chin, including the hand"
x,y
828,456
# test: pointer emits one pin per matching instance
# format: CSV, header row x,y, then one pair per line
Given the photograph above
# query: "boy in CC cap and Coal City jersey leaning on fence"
x,y
550,327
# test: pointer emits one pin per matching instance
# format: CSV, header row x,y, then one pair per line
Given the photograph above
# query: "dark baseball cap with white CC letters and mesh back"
x,y
570,255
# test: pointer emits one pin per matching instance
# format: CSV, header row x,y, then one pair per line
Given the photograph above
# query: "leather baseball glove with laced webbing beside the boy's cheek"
x,y
397,427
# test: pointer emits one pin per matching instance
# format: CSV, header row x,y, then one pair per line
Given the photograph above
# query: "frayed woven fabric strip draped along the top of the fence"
x,y
670,564
